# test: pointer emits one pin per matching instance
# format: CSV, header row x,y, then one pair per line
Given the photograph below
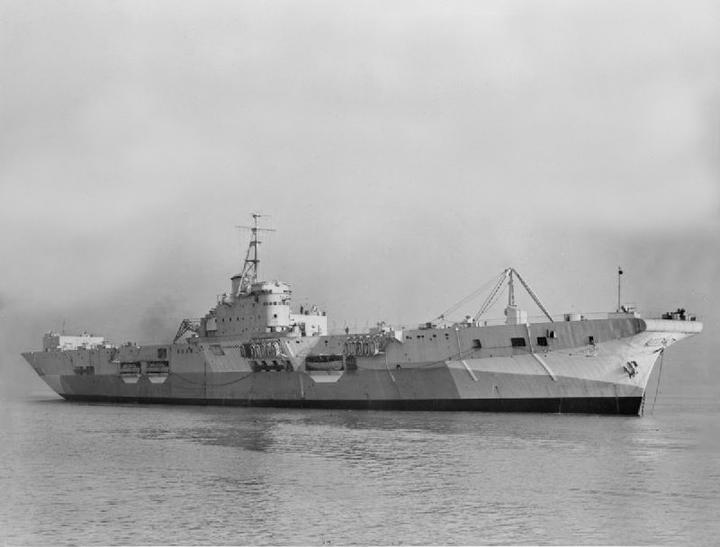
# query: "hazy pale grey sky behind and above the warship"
x,y
407,152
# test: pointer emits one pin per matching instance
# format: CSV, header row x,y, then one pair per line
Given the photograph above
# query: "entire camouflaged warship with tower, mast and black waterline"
x,y
253,349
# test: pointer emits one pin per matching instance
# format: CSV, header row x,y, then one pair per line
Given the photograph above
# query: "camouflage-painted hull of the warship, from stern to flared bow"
x,y
433,370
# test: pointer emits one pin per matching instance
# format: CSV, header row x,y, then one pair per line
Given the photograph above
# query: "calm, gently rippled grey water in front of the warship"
x,y
105,474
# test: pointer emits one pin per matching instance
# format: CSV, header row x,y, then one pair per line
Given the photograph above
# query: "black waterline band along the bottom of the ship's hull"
x,y
573,405
